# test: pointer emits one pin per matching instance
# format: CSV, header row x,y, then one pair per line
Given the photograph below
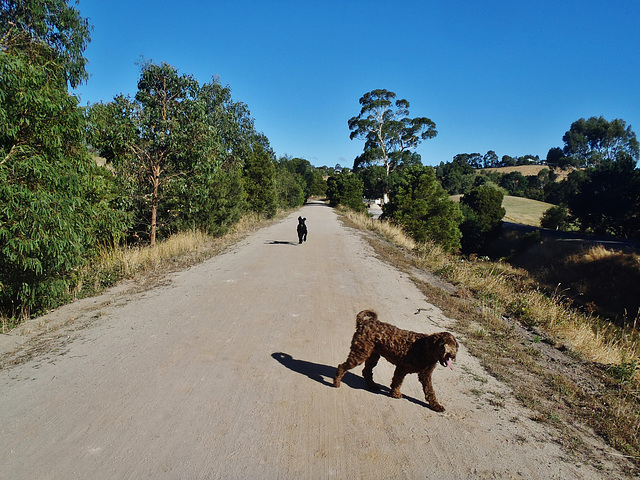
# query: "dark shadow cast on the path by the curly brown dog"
x,y
324,374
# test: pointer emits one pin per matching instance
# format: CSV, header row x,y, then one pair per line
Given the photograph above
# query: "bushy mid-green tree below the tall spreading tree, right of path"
x,y
422,207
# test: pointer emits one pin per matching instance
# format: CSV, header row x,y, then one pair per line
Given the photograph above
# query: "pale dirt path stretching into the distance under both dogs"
x,y
225,372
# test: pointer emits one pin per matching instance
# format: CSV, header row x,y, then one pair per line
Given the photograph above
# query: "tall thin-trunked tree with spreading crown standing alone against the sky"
x,y
387,129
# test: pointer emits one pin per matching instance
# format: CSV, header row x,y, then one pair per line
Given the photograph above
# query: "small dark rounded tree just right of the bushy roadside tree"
x,y
483,212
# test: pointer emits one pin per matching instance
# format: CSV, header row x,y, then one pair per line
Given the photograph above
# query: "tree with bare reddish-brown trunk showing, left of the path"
x,y
155,142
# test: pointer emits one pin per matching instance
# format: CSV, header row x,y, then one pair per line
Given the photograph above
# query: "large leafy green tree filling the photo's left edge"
x,y
55,202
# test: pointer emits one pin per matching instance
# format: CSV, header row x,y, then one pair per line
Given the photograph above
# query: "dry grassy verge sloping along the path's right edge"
x,y
573,370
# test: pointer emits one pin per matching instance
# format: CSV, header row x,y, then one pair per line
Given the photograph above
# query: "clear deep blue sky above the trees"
x,y
509,76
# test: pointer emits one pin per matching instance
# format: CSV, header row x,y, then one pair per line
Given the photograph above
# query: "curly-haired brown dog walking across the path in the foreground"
x,y
410,352
